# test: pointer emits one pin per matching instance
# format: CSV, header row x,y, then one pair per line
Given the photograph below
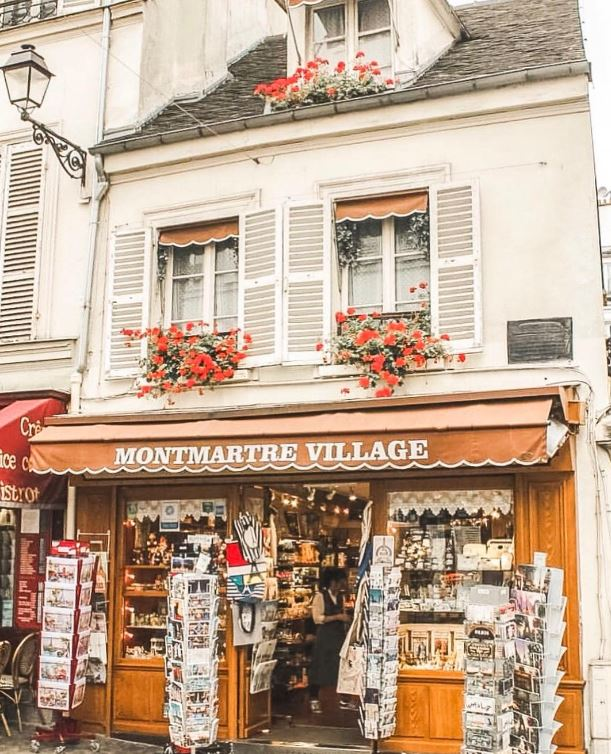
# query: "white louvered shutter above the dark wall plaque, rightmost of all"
x,y
455,264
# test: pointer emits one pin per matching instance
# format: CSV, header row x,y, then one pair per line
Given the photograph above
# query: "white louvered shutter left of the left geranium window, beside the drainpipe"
x,y
128,299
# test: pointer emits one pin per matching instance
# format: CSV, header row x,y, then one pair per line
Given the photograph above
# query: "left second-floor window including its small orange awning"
x,y
202,274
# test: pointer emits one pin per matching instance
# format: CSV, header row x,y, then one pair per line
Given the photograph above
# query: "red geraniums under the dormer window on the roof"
x,y
318,82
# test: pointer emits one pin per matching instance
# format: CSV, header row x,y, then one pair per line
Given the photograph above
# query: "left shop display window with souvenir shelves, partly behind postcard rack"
x,y
157,536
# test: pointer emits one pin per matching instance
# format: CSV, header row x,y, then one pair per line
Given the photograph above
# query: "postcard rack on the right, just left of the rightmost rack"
x,y
489,660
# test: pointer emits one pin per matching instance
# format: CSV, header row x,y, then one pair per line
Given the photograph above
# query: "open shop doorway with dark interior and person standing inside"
x,y
318,530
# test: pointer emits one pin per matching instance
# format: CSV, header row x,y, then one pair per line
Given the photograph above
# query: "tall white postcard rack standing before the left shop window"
x,y
192,659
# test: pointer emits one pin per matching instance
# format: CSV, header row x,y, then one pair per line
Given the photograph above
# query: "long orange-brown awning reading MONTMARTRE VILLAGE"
x,y
477,434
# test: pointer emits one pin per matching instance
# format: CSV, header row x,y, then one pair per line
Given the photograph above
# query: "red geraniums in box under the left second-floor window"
x,y
180,359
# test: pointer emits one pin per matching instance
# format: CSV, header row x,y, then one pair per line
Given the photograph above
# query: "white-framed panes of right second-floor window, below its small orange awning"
x,y
390,264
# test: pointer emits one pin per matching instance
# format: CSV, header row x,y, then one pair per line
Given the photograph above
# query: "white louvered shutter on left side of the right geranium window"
x,y
305,281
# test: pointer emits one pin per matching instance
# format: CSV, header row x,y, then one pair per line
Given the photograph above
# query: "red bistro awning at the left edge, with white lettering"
x,y
20,421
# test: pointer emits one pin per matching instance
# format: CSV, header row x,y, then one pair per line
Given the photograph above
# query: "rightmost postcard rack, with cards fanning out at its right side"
x,y
540,605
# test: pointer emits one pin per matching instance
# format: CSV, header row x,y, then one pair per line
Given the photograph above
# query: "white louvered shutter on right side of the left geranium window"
x,y
261,285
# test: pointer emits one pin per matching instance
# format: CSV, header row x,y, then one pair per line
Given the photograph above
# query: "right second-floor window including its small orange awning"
x,y
384,249
